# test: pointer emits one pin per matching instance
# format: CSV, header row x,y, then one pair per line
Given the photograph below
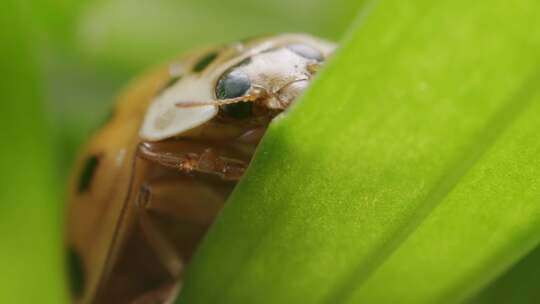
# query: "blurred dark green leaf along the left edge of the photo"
x,y
30,223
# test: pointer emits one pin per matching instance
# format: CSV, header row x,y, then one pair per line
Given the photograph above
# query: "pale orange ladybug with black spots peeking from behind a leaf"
x,y
151,182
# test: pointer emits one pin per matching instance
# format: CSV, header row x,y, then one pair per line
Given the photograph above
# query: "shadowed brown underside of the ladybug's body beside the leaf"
x,y
175,209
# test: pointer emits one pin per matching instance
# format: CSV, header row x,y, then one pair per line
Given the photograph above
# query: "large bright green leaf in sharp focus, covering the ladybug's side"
x,y
408,174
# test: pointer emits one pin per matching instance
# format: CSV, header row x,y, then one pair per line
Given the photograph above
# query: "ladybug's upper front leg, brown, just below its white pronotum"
x,y
207,161
